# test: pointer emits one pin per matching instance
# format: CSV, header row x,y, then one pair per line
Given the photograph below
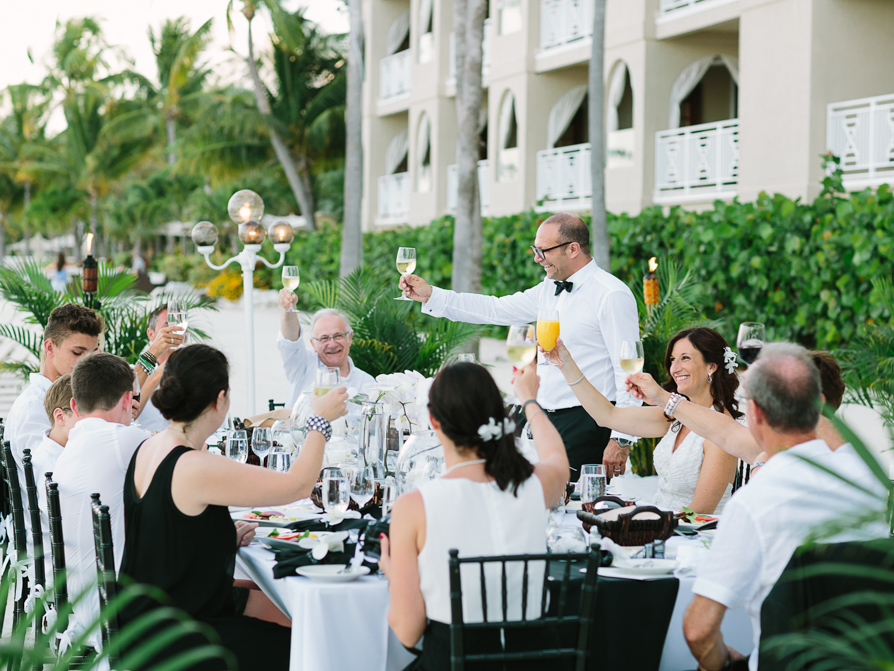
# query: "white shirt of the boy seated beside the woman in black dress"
x,y
95,459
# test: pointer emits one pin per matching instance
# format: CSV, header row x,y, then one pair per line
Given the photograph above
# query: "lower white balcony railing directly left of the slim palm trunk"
x,y
563,177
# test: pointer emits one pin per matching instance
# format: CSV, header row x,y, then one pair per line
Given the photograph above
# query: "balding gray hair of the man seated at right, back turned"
x,y
785,385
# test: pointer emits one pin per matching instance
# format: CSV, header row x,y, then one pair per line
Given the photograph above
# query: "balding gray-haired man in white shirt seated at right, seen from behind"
x,y
792,497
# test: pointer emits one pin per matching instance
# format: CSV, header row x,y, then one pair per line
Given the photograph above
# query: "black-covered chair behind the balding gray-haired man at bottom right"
x,y
836,593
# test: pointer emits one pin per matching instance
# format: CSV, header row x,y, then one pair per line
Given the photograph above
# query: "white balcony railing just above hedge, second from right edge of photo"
x,y
697,162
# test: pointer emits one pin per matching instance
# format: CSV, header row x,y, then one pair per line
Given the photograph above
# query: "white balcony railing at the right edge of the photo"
x,y
861,133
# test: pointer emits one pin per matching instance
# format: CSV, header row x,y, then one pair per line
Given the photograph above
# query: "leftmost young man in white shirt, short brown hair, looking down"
x,y
72,332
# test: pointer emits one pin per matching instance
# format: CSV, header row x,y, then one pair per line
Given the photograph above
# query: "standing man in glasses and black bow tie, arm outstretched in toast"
x,y
596,312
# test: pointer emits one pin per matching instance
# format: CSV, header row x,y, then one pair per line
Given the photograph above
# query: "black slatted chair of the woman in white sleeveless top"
x,y
557,613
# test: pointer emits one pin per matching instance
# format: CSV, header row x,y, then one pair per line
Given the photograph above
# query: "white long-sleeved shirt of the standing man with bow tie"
x,y
598,313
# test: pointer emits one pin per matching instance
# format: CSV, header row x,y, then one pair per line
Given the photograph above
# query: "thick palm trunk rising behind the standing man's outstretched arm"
x,y
468,18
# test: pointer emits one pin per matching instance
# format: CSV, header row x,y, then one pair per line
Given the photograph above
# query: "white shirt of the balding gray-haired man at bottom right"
x,y
770,517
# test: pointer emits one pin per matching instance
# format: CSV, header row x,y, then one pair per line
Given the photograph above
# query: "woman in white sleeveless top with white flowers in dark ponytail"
x,y
490,501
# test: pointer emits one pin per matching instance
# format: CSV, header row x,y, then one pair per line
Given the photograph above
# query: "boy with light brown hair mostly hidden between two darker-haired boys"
x,y
57,404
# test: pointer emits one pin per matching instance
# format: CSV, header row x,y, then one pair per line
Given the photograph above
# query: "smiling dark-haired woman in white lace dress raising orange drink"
x,y
692,472
